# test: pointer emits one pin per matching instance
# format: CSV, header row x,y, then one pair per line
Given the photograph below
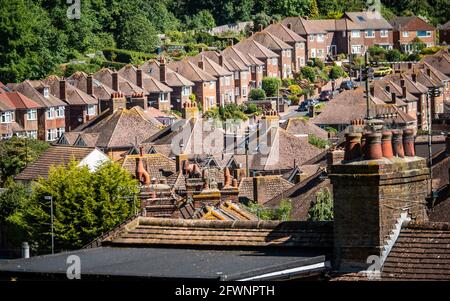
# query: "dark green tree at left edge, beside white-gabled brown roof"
x,y
16,153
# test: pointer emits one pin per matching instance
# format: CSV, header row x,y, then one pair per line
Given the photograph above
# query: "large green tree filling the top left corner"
x,y
30,46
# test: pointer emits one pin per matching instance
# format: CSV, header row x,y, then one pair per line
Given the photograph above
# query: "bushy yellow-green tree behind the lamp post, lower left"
x,y
86,204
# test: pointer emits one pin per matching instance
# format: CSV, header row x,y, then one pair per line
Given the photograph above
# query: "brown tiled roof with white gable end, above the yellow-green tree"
x,y
61,155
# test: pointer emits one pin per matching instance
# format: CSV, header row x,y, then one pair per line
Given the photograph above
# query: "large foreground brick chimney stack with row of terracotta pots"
x,y
370,194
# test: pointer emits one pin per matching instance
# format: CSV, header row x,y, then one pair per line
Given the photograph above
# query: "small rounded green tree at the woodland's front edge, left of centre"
x,y
138,34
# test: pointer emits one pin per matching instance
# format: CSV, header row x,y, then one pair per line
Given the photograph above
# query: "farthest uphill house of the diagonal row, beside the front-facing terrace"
x,y
297,43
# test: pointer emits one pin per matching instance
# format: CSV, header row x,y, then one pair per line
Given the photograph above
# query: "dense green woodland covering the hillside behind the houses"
x,y
36,36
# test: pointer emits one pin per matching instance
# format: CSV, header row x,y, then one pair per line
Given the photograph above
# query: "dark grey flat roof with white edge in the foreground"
x,y
172,263
